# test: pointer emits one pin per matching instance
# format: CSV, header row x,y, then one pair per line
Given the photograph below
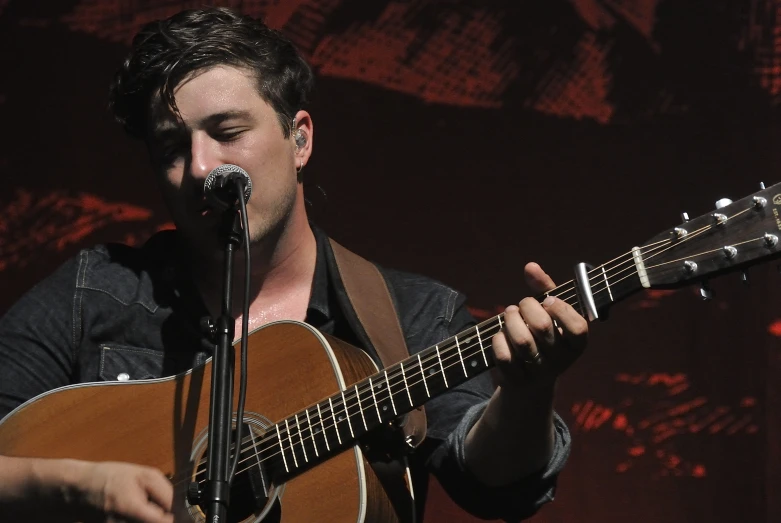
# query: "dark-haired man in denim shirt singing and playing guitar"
x,y
206,88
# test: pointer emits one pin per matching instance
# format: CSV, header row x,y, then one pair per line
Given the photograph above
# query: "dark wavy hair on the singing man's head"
x,y
166,51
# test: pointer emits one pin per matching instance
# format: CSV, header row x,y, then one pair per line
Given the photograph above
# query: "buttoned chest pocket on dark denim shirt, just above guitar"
x,y
124,363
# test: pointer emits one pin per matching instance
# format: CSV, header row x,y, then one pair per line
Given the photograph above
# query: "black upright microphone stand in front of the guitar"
x,y
215,496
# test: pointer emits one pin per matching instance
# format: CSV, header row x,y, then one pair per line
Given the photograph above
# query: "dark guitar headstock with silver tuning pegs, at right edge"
x,y
734,236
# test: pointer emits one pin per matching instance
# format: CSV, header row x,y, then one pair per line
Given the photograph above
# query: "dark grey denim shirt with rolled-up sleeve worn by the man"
x,y
117,312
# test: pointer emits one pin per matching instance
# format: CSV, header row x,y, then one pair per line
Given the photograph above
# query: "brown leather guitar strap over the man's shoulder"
x,y
369,295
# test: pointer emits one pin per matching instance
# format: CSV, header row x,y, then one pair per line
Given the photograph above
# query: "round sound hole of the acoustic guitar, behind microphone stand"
x,y
253,494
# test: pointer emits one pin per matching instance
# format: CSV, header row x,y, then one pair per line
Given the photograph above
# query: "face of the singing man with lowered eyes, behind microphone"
x,y
224,120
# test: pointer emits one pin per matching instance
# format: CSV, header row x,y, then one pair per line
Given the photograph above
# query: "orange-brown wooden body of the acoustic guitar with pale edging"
x,y
163,423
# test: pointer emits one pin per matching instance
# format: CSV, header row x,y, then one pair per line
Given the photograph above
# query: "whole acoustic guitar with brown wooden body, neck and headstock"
x,y
303,456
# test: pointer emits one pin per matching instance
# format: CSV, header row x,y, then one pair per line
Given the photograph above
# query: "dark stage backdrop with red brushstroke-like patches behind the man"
x,y
461,139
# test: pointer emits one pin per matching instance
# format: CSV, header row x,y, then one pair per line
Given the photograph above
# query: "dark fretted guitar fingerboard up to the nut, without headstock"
x,y
340,420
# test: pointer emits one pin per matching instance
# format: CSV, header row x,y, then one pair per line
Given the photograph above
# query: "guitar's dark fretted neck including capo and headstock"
x,y
737,235
